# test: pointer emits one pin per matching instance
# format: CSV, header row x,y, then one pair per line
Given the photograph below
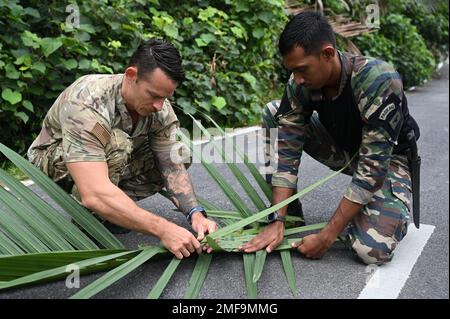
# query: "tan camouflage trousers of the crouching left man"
x,y
133,170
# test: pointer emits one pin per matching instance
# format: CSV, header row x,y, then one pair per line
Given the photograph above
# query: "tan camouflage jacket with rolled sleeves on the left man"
x,y
86,112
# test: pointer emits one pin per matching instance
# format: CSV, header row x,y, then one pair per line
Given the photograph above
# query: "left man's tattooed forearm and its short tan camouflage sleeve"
x,y
167,151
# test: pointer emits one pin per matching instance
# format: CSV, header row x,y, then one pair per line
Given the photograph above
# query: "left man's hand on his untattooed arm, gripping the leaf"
x,y
179,241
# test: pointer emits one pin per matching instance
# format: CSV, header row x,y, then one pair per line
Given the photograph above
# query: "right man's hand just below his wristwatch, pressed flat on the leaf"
x,y
270,238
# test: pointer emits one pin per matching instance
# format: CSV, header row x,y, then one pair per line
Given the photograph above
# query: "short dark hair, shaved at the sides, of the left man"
x,y
157,53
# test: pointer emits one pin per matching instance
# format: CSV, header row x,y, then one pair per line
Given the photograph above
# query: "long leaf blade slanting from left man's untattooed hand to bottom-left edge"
x,y
117,273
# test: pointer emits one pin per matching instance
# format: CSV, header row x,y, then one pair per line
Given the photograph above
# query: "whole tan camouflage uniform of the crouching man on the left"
x,y
89,122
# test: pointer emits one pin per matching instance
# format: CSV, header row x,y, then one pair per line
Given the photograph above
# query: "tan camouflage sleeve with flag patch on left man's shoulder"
x,y
85,134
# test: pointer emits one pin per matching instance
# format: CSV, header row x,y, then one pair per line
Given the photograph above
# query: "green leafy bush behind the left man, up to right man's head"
x,y
229,51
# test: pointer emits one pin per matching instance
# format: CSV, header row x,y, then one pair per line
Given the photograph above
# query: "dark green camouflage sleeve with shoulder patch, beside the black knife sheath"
x,y
378,90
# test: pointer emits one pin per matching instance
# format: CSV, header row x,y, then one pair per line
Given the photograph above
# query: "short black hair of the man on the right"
x,y
309,30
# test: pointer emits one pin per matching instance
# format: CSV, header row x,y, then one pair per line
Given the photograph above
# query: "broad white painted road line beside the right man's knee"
x,y
388,280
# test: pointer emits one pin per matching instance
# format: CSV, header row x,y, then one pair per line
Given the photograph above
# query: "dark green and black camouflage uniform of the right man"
x,y
380,179
